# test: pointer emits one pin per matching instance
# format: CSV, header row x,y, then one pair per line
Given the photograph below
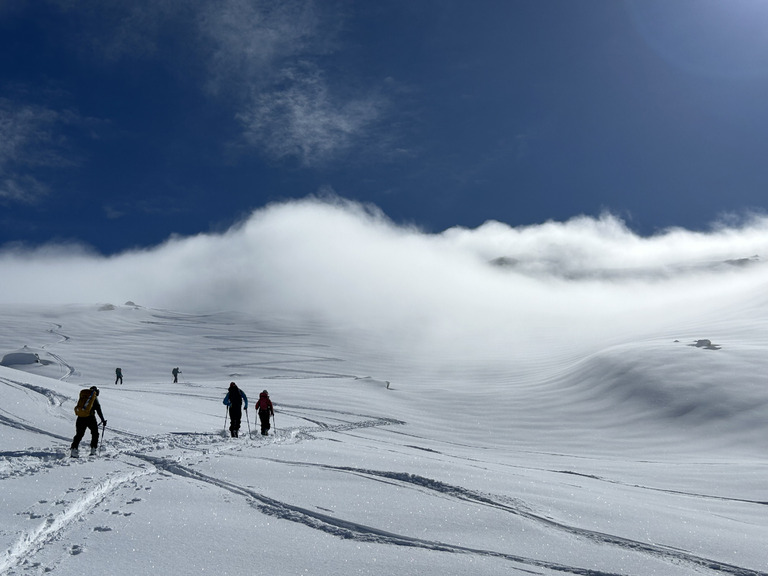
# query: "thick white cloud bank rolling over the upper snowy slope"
x,y
587,280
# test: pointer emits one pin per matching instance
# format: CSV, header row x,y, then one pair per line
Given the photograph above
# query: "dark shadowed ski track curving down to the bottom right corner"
x,y
460,493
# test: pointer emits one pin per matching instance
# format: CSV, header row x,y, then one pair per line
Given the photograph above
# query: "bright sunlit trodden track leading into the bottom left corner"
x,y
32,542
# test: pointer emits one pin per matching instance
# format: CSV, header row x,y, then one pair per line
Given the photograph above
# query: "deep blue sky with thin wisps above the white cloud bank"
x,y
124,123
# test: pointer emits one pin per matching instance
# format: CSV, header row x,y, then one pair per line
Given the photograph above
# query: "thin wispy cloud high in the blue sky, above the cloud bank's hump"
x,y
288,107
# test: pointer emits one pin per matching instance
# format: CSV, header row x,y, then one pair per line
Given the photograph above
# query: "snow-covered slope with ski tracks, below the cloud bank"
x,y
645,454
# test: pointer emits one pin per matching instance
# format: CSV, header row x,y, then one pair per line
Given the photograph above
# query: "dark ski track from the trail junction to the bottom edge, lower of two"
x,y
355,531
